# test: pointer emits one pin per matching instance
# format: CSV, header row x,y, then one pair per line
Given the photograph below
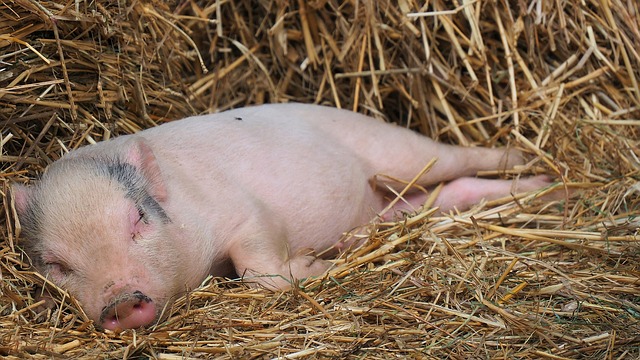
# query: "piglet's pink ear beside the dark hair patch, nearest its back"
x,y
140,155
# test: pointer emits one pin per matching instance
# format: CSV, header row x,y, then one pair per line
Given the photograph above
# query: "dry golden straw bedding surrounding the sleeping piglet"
x,y
509,279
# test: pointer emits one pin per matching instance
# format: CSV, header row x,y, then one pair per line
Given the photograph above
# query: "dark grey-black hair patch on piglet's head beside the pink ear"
x,y
136,189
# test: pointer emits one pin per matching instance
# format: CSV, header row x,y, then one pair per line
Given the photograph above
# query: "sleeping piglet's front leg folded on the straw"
x,y
267,261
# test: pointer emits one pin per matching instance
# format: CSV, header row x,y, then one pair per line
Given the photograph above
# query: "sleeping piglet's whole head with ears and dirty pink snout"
x,y
96,226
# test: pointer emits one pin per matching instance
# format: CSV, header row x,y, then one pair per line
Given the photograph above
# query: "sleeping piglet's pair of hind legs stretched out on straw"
x,y
406,153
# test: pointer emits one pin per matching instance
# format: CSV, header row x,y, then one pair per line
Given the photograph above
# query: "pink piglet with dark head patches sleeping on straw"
x,y
129,224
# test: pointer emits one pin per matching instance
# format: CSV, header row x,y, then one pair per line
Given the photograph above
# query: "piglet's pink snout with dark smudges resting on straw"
x,y
129,311
